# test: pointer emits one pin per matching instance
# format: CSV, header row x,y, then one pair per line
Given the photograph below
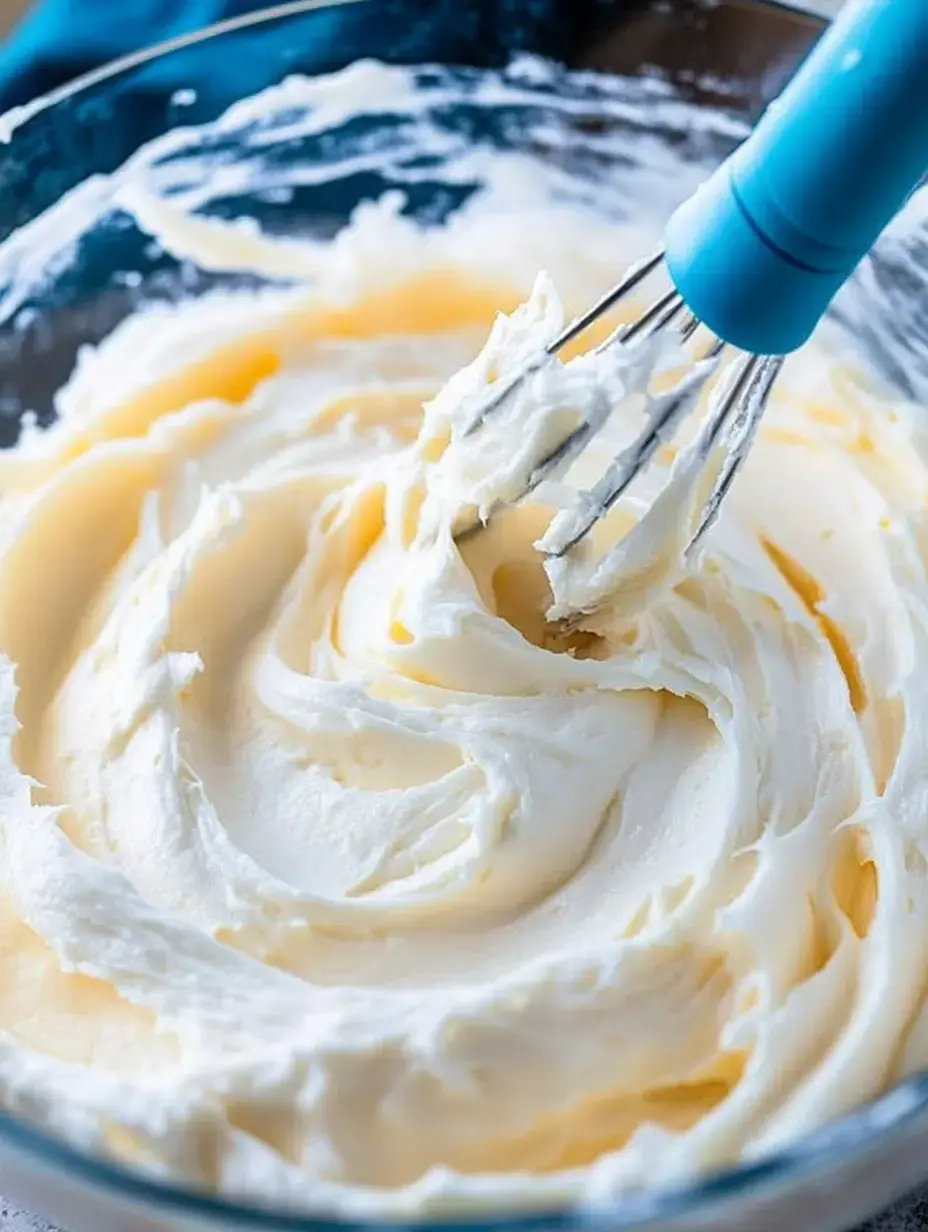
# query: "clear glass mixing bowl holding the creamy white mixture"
x,y
68,277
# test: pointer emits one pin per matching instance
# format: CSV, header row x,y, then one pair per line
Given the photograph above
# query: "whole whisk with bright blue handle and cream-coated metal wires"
x,y
760,252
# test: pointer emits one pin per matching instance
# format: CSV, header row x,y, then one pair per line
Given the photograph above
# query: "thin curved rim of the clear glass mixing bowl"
x,y
810,1159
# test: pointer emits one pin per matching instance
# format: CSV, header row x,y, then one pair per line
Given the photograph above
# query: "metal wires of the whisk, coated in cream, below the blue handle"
x,y
734,416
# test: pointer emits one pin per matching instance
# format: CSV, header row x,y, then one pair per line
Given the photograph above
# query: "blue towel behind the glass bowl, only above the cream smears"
x,y
97,131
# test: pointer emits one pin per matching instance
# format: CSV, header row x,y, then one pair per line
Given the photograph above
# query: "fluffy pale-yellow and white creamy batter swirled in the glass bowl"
x,y
335,869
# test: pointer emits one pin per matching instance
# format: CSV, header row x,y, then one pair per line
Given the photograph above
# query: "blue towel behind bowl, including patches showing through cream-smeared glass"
x,y
94,132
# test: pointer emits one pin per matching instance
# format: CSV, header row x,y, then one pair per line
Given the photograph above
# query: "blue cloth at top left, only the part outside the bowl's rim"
x,y
59,40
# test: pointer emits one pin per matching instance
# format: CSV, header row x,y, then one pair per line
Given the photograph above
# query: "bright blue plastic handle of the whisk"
x,y
760,252
